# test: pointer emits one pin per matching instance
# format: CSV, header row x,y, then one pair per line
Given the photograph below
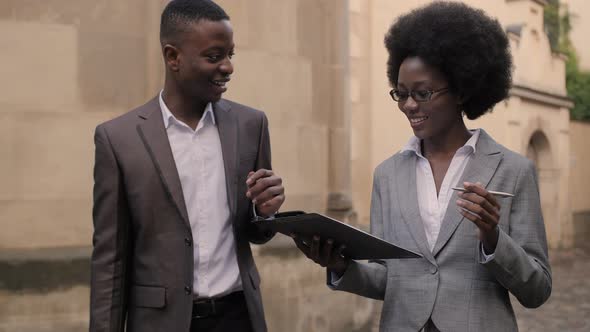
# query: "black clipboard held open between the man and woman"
x,y
359,244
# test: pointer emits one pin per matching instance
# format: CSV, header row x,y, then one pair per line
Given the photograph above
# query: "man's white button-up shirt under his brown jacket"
x,y
199,162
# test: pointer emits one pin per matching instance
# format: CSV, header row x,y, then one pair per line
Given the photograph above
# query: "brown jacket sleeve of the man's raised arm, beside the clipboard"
x,y
263,160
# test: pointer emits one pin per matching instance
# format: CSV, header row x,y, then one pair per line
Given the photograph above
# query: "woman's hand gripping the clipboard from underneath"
x,y
323,253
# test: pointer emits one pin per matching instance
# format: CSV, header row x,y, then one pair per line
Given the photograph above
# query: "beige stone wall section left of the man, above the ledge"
x,y
65,67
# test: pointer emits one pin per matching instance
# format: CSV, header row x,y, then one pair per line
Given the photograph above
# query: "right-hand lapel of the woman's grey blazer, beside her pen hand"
x,y
481,168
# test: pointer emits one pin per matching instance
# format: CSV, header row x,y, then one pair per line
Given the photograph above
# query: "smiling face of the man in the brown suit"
x,y
204,60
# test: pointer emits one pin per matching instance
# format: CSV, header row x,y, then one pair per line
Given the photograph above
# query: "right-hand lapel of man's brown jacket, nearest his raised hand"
x,y
227,126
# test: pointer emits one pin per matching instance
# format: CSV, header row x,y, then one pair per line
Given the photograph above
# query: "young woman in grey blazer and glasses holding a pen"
x,y
448,61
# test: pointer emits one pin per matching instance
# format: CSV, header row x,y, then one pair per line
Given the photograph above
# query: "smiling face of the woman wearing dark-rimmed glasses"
x,y
438,109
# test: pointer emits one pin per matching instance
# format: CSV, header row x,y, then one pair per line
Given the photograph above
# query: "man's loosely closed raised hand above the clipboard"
x,y
266,191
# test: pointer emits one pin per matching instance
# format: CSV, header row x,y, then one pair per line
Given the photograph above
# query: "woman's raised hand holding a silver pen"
x,y
482,208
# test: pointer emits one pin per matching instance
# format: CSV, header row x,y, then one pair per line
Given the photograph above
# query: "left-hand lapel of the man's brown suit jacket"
x,y
155,139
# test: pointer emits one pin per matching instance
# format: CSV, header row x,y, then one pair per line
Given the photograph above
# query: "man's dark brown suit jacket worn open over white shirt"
x,y
142,262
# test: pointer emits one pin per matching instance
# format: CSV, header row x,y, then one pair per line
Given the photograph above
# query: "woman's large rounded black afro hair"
x,y
466,45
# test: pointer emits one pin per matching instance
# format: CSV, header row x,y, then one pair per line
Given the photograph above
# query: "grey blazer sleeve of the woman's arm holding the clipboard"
x,y
366,279
